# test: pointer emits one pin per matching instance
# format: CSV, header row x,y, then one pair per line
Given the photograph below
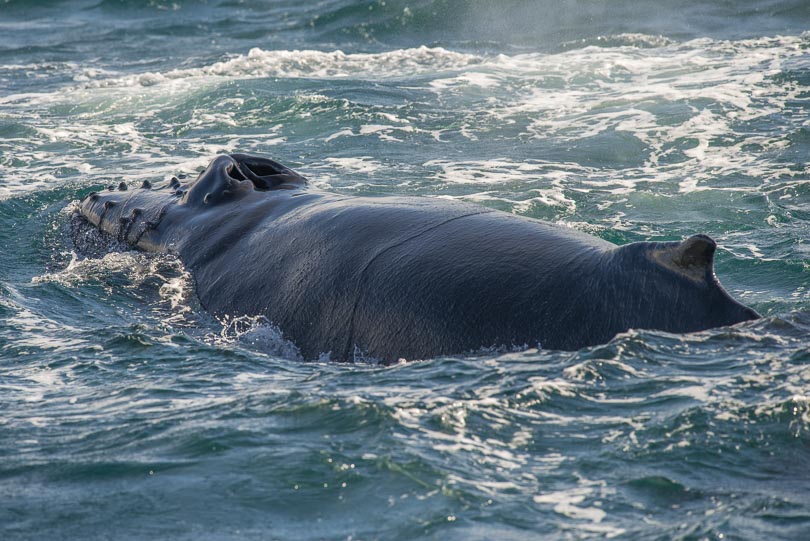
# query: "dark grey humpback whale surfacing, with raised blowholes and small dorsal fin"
x,y
394,277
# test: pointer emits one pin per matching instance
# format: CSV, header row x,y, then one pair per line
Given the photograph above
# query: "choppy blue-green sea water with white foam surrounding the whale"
x,y
127,412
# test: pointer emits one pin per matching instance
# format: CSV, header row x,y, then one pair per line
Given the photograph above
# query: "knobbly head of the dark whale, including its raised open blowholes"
x,y
132,214
